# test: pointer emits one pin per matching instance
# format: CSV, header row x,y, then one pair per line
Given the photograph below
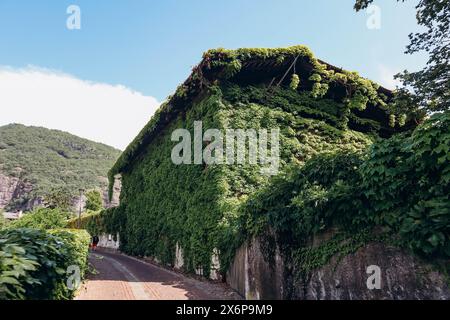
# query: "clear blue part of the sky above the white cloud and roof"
x,y
150,46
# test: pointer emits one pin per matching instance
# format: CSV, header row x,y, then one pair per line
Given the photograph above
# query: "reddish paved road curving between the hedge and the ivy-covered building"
x,y
119,277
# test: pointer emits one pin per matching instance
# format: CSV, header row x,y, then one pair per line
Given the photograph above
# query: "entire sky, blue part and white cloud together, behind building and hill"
x,y
143,49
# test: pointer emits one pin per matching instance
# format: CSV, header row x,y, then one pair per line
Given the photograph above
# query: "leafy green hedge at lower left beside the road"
x,y
33,262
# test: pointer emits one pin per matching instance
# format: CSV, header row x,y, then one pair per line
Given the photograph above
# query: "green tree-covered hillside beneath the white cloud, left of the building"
x,y
49,159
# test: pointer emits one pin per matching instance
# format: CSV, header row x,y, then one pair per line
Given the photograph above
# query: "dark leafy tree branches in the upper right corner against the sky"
x,y
431,85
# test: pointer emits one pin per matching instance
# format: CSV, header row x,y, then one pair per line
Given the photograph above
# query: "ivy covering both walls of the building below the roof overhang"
x,y
197,206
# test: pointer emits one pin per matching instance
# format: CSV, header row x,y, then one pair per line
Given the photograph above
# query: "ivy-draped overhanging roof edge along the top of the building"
x,y
294,67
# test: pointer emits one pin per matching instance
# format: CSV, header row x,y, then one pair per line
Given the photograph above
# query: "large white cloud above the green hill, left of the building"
x,y
100,112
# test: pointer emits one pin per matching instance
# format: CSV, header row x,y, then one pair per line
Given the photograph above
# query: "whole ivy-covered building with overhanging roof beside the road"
x,y
185,214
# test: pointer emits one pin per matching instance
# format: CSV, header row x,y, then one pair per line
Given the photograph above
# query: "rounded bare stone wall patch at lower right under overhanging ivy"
x,y
402,277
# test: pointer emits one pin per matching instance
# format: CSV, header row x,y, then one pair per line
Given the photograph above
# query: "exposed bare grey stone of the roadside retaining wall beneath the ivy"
x,y
259,273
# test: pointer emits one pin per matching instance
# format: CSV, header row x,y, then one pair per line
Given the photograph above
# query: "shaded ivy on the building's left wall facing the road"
x,y
168,203
